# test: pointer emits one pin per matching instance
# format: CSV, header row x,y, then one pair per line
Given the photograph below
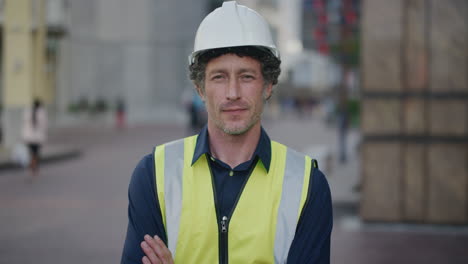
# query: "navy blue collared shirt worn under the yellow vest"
x,y
311,243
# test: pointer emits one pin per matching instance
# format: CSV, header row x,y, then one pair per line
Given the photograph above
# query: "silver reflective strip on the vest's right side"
x,y
289,205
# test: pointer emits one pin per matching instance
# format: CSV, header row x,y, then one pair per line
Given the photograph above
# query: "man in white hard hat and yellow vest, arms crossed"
x,y
229,194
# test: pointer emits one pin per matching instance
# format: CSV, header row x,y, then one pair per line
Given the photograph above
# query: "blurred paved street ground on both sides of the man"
x,y
76,210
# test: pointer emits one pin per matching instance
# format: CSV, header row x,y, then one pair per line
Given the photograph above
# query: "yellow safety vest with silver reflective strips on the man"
x,y
263,223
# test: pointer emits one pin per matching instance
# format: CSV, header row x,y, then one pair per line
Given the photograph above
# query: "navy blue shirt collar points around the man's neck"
x,y
263,150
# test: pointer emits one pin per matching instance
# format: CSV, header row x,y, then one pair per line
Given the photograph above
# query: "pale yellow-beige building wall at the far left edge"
x,y
23,63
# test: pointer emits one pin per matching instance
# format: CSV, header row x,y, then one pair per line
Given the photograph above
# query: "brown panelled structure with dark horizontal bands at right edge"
x,y
415,111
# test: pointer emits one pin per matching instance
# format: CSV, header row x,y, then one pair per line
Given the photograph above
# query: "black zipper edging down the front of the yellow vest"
x,y
223,222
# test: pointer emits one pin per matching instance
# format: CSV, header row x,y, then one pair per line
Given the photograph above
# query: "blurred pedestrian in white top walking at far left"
x,y
34,133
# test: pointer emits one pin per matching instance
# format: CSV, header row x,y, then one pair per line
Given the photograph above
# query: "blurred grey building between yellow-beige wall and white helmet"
x,y
136,51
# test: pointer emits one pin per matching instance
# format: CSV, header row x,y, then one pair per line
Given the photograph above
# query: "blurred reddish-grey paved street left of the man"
x,y
76,211
